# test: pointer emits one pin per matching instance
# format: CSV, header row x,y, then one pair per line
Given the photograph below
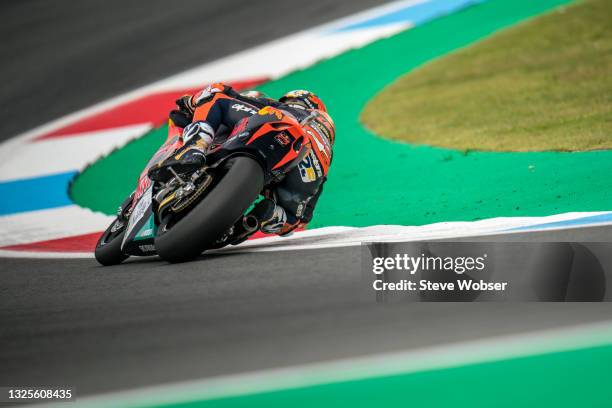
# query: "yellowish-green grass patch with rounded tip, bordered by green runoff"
x,y
542,85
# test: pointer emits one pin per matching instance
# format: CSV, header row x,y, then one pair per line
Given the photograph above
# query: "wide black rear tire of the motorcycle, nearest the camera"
x,y
215,214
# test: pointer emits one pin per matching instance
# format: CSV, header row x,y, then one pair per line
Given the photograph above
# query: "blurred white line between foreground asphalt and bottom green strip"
x,y
379,365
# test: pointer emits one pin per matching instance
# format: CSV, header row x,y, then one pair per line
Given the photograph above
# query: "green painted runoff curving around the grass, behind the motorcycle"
x,y
376,181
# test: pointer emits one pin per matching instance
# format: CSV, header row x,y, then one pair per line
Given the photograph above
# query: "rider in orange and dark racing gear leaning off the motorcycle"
x,y
209,117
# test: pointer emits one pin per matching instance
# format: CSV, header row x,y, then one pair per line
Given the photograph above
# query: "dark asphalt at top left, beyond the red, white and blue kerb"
x,y
62,56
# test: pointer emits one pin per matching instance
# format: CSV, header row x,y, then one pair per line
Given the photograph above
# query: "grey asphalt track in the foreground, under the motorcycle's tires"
x,y
147,322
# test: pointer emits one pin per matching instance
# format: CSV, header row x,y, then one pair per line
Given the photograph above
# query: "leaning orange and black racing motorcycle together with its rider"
x,y
293,146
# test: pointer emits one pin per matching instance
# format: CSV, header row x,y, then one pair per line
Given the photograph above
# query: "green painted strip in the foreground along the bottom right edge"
x,y
578,378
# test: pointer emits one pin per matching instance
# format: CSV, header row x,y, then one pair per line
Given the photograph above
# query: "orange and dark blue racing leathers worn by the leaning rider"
x,y
210,116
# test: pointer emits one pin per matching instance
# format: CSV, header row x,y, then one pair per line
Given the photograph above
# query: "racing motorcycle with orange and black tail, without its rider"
x,y
206,207
